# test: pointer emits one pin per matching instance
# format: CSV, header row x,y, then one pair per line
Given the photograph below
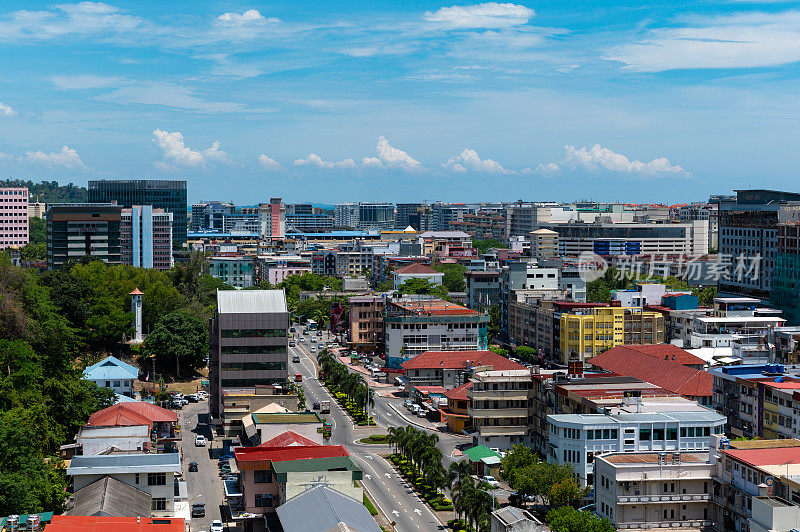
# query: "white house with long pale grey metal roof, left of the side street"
x,y
154,474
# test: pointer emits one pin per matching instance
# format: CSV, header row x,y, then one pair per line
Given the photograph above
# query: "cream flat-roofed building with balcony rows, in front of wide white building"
x,y
640,491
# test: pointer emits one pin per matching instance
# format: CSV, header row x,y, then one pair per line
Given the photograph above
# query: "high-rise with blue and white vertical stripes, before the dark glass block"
x,y
146,237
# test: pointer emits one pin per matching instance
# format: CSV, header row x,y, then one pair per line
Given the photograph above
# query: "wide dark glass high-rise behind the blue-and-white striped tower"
x,y
161,194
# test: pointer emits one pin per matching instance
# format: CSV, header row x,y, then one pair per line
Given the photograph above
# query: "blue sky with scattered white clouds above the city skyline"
x,y
405,101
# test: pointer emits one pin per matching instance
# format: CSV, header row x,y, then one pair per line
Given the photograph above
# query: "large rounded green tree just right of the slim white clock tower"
x,y
179,340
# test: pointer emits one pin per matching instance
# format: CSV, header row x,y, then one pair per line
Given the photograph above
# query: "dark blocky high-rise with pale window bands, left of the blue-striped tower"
x,y
75,230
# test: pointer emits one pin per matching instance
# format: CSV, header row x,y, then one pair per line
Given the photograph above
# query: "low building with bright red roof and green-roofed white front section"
x,y
272,475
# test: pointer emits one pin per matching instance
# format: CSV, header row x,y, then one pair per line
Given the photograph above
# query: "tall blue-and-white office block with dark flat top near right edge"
x,y
748,229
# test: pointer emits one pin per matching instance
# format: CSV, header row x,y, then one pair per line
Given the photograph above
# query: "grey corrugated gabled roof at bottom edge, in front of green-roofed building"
x,y
329,508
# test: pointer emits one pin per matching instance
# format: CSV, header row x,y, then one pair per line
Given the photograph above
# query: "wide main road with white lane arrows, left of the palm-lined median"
x,y
393,497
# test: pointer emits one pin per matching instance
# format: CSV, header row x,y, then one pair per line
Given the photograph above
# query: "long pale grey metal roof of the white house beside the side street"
x,y
124,463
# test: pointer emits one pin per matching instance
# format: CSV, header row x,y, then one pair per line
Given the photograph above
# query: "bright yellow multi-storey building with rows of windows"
x,y
586,332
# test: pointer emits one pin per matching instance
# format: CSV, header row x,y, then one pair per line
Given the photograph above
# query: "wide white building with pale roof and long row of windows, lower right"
x,y
576,439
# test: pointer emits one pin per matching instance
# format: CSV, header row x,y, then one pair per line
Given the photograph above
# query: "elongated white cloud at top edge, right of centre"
x,y
486,15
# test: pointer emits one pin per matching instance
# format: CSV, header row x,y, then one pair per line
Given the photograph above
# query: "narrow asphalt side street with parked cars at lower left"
x,y
204,485
